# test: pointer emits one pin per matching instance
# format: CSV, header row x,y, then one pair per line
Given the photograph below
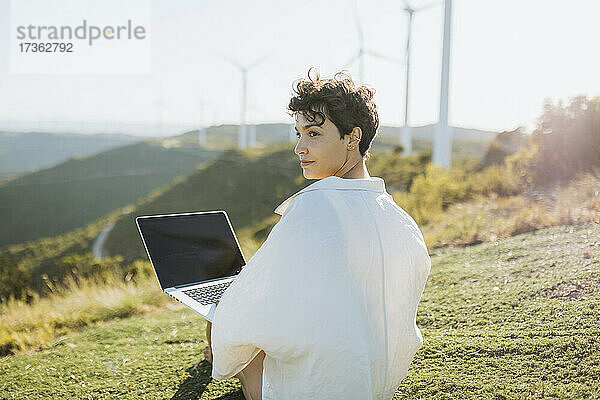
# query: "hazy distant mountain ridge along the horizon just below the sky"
x,y
23,152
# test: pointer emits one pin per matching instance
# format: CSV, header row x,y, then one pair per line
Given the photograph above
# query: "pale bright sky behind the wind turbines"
x,y
506,58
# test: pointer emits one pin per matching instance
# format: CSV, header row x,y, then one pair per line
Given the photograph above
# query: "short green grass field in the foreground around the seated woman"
x,y
513,319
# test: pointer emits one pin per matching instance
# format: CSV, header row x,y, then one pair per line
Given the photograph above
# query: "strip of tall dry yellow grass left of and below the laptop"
x,y
75,305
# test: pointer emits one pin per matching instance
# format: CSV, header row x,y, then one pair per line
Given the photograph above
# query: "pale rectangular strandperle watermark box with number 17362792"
x,y
80,36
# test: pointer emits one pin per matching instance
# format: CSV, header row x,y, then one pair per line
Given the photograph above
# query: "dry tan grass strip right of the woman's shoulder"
x,y
490,218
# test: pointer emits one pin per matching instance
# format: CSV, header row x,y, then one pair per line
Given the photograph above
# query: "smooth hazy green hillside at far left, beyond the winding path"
x,y
70,195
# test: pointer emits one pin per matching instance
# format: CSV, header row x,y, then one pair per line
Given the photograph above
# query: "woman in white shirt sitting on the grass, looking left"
x,y
326,307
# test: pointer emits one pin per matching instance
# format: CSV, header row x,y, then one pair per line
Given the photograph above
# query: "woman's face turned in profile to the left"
x,y
322,146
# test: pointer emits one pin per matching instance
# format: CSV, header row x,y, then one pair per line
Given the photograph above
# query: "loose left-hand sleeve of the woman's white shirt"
x,y
263,309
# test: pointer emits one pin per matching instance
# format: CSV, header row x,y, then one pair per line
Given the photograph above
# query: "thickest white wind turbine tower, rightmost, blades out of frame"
x,y
442,144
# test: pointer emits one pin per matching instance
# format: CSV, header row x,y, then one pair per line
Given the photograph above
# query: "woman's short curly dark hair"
x,y
339,99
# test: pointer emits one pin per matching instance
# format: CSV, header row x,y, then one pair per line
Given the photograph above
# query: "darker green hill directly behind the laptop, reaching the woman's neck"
x,y
248,185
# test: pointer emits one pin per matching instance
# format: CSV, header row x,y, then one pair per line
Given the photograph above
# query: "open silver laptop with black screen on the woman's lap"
x,y
195,256
